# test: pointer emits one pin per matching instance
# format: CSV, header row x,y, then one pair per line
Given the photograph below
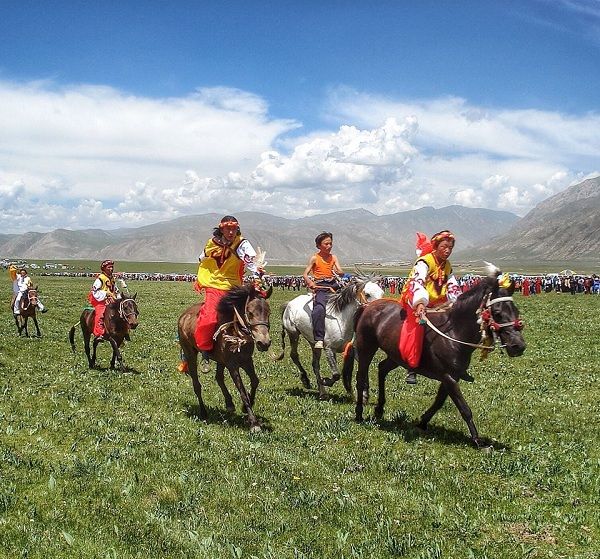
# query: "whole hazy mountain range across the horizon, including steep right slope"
x,y
563,227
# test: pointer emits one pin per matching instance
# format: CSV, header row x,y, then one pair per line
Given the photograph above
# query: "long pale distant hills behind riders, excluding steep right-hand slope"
x,y
359,236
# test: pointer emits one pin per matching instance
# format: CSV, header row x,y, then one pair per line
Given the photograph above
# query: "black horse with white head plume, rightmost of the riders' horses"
x,y
478,318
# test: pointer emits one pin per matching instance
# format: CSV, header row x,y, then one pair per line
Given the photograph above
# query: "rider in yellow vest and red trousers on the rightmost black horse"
x,y
430,284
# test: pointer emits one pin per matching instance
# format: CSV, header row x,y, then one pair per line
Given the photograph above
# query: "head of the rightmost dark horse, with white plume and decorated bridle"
x,y
500,314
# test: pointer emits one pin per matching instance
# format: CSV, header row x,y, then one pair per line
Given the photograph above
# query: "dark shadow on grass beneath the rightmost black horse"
x,y
409,430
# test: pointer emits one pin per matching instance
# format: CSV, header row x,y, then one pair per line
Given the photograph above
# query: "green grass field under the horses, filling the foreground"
x,y
104,464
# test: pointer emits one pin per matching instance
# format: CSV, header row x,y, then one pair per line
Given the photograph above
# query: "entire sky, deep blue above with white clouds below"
x,y
126,113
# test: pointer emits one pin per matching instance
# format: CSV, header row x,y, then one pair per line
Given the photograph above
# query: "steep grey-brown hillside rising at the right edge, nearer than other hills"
x,y
563,227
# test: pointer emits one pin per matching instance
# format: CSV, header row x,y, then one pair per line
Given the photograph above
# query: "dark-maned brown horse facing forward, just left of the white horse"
x,y
243,323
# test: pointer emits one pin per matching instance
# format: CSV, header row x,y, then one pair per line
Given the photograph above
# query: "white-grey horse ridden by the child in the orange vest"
x,y
339,326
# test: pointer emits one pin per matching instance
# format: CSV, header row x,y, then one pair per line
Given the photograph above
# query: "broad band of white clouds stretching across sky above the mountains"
x,y
92,156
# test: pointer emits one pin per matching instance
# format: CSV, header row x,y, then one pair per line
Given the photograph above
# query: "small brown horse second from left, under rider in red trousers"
x,y
120,317
